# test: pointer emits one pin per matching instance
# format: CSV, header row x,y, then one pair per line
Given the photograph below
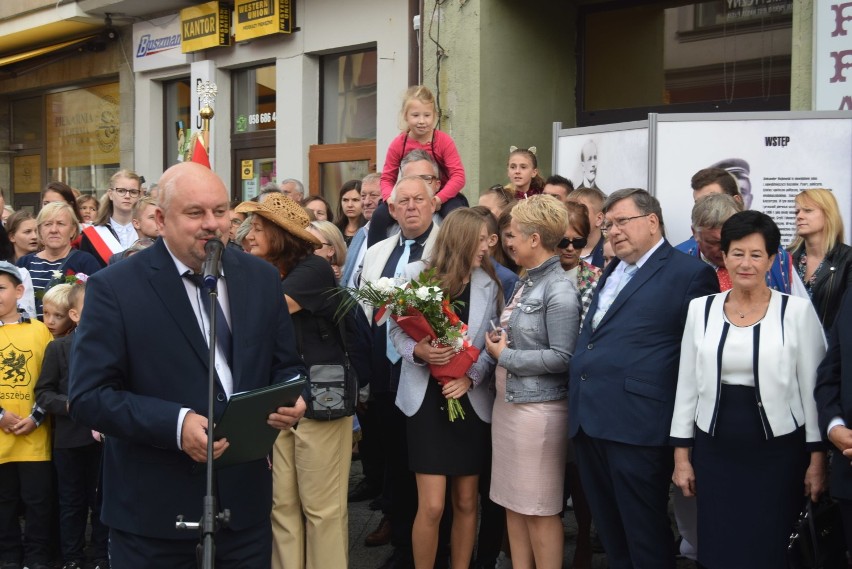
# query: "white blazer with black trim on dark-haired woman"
x,y
789,348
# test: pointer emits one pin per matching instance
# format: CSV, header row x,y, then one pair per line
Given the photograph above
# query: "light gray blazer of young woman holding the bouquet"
x,y
415,376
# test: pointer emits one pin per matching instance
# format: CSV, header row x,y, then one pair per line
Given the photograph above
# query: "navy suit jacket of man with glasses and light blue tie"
x,y
624,374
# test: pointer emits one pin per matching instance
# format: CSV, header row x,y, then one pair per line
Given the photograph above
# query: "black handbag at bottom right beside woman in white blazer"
x,y
817,541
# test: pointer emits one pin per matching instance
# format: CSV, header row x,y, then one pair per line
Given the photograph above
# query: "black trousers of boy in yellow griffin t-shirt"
x,y
30,484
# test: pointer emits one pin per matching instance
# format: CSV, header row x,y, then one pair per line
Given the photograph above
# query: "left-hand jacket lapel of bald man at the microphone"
x,y
172,294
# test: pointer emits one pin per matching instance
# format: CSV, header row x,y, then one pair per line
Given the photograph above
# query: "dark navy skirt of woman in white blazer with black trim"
x,y
749,489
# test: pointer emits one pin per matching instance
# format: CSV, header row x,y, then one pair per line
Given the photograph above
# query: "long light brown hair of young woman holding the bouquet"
x,y
455,246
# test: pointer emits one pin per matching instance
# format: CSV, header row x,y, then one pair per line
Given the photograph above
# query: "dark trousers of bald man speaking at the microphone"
x,y
247,549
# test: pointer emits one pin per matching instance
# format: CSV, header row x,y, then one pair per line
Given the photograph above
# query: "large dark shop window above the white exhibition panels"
x,y
696,57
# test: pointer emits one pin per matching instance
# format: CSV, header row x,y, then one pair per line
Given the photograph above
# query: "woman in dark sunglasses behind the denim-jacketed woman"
x,y
584,275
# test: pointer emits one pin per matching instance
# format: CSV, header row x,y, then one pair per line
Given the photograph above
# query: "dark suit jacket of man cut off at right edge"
x,y
833,392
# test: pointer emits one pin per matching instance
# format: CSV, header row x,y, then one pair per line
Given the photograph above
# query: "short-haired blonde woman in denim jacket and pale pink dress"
x,y
530,419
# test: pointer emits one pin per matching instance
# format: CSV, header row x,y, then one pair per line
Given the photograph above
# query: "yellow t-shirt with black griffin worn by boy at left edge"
x,y
21,353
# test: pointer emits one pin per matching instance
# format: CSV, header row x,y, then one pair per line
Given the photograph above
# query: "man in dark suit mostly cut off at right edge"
x,y
833,394
